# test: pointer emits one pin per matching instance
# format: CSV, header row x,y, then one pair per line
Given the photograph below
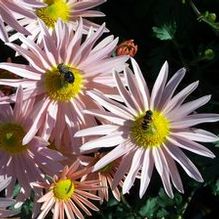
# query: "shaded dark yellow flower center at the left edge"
x,y
11,136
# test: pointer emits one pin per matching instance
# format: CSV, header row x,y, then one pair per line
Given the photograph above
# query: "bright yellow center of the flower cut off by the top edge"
x,y
56,9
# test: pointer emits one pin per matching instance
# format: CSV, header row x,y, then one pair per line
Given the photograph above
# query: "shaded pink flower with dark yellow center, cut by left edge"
x,y
24,163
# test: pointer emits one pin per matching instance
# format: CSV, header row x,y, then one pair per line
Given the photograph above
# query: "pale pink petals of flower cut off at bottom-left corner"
x,y
5,202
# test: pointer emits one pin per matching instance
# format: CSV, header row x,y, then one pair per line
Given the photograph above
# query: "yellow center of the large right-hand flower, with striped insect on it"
x,y
150,129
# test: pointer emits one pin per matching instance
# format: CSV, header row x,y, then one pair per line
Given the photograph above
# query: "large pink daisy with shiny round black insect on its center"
x,y
59,75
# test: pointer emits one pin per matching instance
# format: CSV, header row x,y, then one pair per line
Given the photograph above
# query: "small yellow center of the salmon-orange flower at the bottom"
x,y
64,189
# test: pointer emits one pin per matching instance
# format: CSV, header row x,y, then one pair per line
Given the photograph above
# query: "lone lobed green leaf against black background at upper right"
x,y
165,32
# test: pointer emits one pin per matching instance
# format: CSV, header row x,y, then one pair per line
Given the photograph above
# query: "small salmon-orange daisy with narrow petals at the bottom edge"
x,y
68,195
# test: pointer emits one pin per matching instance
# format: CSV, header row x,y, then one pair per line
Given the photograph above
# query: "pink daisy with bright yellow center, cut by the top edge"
x,y
69,11
